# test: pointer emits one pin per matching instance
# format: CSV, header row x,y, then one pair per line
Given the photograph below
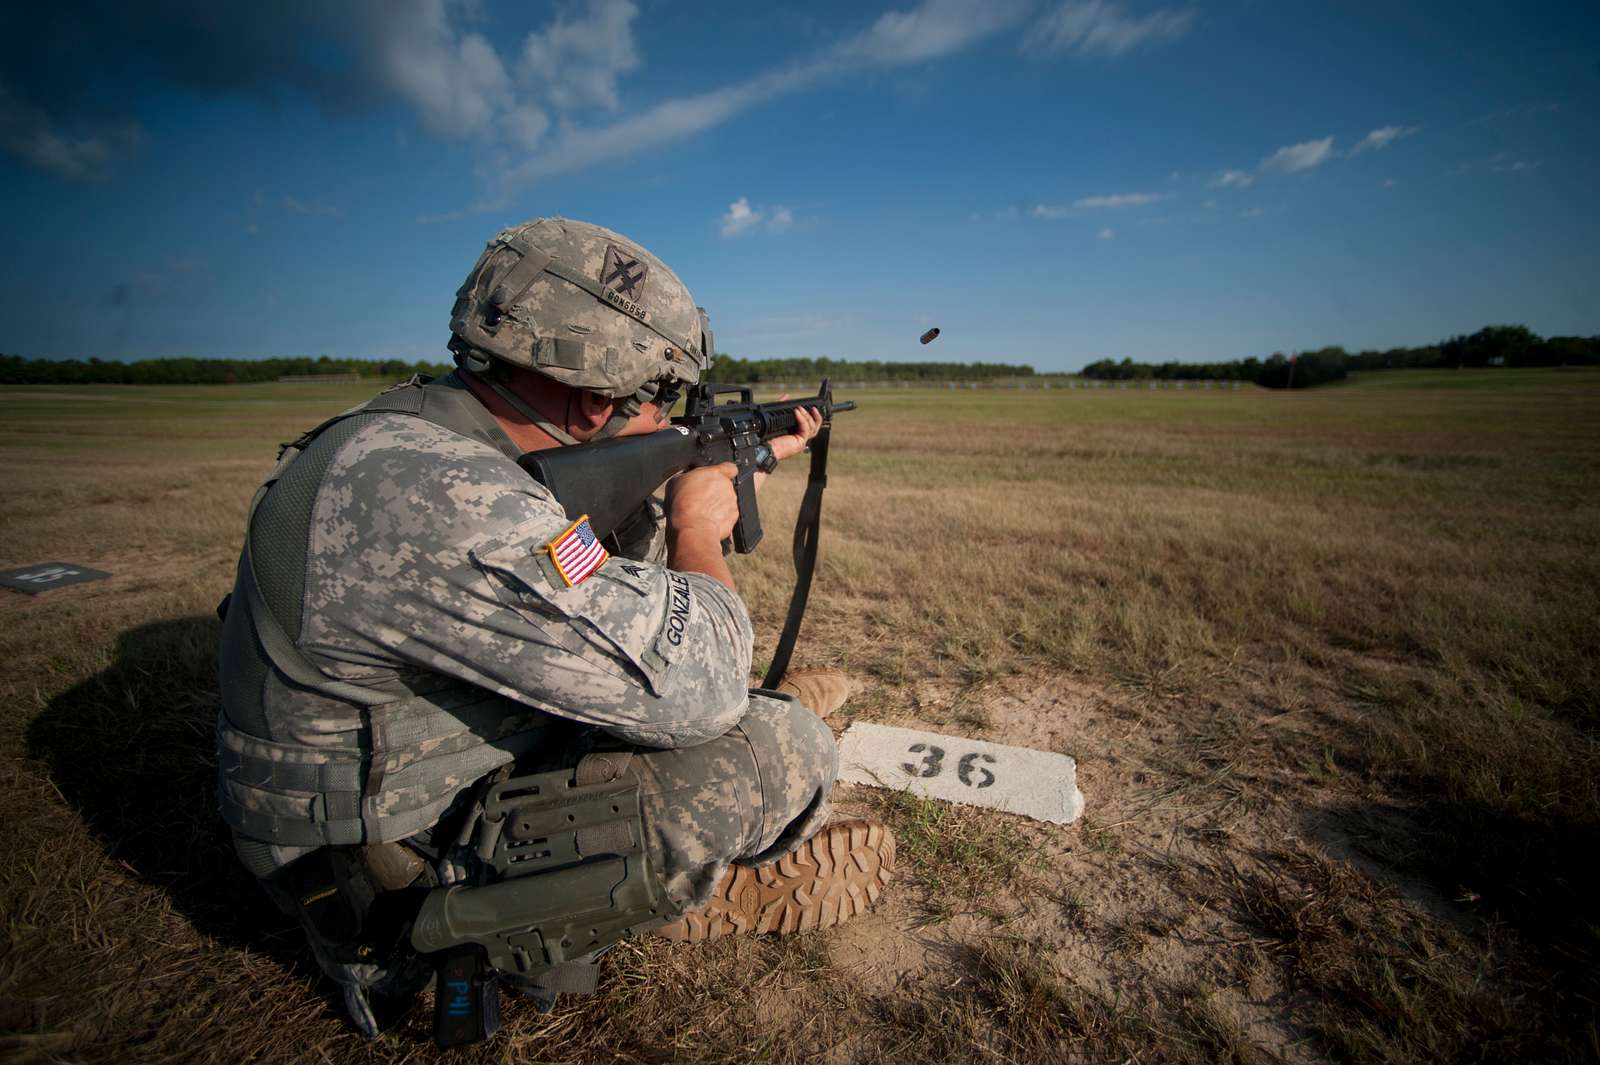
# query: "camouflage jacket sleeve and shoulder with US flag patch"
x,y
428,551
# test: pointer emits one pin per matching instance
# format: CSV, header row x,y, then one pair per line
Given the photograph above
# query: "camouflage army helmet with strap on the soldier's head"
x,y
585,306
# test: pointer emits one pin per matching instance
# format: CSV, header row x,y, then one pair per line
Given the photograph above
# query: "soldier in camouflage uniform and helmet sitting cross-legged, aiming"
x,y
425,661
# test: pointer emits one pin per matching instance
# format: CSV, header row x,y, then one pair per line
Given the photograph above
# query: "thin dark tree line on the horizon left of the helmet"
x,y
18,370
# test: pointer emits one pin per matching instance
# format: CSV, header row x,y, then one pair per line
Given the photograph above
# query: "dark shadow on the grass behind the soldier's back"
x,y
132,751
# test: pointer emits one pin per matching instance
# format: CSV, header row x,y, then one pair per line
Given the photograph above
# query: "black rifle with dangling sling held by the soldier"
x,y
612,479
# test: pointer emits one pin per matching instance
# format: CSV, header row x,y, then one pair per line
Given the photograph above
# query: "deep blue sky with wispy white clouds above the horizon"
x,y
1047,181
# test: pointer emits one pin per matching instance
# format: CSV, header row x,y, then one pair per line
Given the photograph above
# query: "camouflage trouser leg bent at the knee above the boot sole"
x,y
751,796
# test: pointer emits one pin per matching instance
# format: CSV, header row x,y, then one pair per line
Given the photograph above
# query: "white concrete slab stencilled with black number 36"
x,y
1036,784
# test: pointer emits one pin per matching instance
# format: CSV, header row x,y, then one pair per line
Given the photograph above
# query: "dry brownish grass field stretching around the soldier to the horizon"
x,y
1330,666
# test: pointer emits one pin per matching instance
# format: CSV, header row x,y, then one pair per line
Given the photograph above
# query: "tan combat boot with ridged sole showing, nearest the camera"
x,y
830,879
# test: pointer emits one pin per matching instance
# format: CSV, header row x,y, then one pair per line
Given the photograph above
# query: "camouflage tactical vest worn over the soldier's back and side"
x,y
338,762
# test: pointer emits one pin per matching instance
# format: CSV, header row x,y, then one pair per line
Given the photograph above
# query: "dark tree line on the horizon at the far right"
x,y
1490,346
